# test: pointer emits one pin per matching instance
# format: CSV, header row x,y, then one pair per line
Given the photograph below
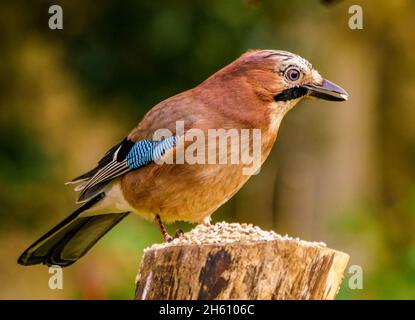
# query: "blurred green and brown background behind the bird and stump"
x,y
339,173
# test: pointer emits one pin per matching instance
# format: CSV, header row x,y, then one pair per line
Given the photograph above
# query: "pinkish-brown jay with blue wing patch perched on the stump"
x,y
143,174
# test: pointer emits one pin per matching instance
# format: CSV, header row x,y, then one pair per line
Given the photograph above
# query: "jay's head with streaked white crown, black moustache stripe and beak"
x,y
284,78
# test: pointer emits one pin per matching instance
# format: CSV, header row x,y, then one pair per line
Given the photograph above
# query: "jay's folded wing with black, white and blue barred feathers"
x,y
120,159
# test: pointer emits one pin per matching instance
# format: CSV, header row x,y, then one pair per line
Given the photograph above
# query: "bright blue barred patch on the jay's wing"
x,y
145,151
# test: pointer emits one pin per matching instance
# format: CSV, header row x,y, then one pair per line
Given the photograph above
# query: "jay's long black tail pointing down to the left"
x,y
72,238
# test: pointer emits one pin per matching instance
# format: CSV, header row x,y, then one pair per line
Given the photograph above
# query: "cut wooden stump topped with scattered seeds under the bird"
x,y
233,261
